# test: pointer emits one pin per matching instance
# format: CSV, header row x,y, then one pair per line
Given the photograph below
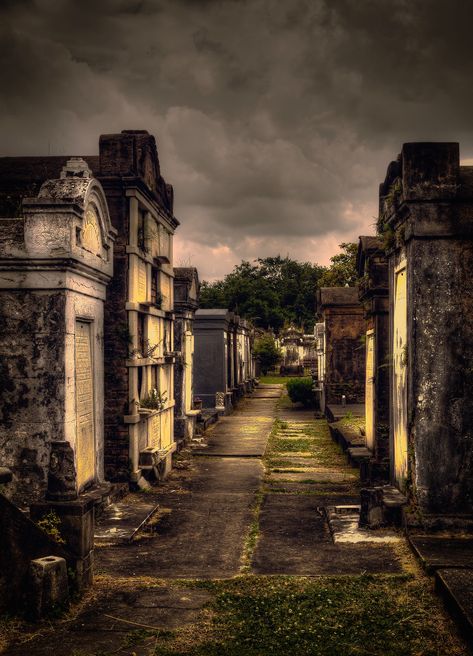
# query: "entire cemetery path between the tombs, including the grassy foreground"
x,y
250,501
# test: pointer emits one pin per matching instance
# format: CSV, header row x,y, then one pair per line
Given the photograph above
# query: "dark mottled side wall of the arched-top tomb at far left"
x,y
32,387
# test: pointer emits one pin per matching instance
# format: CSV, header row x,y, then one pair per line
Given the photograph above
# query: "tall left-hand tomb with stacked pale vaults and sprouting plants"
x,y
139,327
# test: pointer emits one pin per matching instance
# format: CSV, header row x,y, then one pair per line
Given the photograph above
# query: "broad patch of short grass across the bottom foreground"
x,y
327,616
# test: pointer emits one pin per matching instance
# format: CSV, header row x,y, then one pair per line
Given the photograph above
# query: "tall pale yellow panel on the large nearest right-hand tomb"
x,y
399,411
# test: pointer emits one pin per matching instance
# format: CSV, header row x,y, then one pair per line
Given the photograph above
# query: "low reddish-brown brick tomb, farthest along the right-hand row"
x,y
343,358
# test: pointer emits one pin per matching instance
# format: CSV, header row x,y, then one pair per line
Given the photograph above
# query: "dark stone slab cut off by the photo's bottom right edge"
x,y
456,588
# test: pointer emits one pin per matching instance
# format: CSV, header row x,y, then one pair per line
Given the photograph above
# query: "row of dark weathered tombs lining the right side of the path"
x,y
402,342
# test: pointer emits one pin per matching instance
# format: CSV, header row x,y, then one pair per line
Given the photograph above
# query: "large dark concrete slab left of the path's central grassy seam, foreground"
x,y
201,528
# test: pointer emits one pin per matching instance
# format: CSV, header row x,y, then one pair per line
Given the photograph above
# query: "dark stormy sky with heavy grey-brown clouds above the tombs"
x,y
275,119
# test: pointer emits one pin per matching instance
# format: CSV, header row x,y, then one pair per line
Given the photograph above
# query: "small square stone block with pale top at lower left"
x,y
48,589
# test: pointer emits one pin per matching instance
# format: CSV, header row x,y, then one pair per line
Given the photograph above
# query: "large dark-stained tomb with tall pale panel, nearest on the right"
x,y
426,217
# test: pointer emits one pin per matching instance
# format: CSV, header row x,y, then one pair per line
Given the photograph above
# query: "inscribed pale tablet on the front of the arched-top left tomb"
x,y
85,420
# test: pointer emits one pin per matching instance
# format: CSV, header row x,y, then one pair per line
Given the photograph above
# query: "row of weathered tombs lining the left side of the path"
x,y
105,359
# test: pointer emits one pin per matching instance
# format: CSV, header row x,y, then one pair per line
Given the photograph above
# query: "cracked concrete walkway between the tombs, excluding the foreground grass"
x,y
251,501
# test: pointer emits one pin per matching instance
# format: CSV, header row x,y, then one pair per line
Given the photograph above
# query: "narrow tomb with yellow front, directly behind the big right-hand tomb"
x,y
373,293
